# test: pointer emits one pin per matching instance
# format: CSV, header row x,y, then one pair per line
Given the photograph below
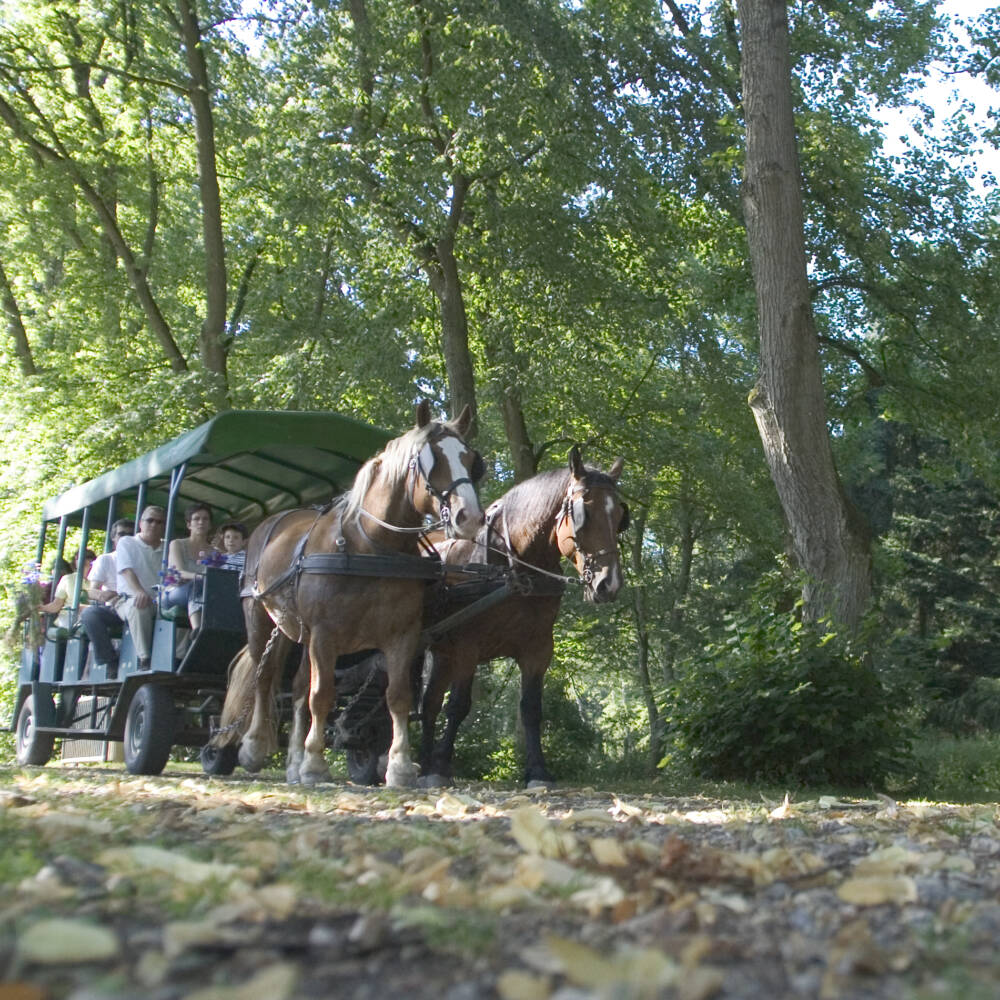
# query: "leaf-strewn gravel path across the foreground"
x,y
185,887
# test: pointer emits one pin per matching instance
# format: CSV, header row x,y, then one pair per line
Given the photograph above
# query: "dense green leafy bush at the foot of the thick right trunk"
x,y
778,700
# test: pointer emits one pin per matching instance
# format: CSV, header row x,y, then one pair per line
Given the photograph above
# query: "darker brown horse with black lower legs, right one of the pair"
x,y
575,513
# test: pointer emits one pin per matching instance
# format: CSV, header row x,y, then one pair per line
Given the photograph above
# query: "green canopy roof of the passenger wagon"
x,y
245,464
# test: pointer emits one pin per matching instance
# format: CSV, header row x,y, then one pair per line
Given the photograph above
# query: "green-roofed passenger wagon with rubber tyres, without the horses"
x,y
245,465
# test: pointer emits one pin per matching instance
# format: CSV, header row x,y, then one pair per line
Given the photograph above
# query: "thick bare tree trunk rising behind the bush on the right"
x,y
828,537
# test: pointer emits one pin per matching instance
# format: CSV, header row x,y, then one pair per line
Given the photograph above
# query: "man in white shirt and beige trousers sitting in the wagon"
x,y
139,559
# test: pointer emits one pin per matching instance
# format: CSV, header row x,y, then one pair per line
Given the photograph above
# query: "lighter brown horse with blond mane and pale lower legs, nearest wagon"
x,y
296,590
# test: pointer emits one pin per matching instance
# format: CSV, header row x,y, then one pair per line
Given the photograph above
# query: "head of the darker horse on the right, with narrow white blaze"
x,y
588,525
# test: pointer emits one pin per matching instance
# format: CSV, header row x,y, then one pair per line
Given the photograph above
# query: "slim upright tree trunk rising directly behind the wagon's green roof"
x,y
212,342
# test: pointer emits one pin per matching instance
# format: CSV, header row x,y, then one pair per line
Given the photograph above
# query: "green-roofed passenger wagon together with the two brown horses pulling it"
x,y
344,581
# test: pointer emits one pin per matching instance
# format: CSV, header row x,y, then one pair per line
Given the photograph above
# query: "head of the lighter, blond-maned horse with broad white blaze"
x,y
449,470
